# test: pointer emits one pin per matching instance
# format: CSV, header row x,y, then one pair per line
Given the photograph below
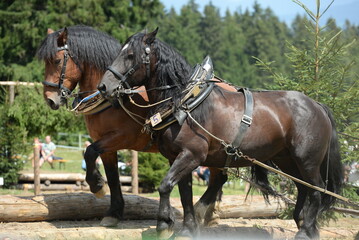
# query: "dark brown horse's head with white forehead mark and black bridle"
x,y
134,65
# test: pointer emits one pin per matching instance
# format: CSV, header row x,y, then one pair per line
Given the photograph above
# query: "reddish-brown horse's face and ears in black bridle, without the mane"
x,y
61,72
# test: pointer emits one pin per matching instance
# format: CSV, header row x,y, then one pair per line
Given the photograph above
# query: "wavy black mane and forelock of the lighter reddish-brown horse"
x,y
86,45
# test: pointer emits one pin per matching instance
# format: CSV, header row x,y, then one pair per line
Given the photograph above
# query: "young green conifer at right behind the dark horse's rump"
x,y
323,73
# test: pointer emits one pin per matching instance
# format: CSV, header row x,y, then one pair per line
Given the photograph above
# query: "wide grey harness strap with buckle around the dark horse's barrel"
x,y
246,122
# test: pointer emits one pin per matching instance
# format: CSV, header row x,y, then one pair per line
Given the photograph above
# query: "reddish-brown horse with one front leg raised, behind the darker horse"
x,y
89,52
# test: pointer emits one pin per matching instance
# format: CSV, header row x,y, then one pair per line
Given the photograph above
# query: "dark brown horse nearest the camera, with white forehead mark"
x,y
293,131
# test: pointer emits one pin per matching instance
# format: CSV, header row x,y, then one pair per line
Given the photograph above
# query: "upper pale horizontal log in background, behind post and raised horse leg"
x,y
62,177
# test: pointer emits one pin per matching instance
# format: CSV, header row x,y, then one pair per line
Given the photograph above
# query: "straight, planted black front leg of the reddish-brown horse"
x,y
115,212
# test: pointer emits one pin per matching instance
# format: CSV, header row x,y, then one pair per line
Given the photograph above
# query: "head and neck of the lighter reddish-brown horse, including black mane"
x,y
75,55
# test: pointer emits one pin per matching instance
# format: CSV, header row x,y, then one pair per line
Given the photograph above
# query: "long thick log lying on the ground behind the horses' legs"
x,y
87,206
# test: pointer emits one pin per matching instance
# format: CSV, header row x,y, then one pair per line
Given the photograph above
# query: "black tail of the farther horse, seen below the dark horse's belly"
x,y
260,178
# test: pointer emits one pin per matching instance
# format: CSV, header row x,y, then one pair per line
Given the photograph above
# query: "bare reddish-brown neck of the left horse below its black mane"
x,y
91,77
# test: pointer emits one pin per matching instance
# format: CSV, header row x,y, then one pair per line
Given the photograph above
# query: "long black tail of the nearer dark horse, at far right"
x,y
332,168
